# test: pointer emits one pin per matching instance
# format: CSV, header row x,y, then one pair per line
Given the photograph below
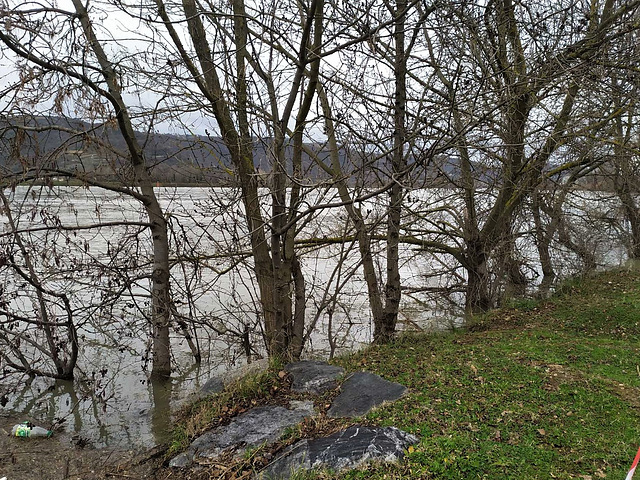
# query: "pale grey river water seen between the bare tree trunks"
x,y
113,403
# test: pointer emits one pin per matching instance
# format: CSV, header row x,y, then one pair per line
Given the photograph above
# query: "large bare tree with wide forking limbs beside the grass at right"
x,y
512,90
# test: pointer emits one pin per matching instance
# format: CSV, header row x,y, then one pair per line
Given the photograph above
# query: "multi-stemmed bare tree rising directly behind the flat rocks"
x,y
240,85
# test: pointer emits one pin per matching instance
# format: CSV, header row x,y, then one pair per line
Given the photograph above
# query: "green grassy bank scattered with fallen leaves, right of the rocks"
x,y
548,390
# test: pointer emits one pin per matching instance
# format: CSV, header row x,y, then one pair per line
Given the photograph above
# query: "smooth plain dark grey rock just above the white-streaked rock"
x,y
361,392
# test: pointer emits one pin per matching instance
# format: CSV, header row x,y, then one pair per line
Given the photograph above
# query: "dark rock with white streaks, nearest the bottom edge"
x,y
346,449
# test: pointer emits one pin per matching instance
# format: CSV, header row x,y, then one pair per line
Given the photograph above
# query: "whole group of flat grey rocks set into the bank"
x,y
349,448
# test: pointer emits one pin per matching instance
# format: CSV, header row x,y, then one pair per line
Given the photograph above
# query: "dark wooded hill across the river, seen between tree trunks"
x,y
99,151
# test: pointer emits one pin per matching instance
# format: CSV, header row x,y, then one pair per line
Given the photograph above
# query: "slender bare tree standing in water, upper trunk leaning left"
x,y
26,38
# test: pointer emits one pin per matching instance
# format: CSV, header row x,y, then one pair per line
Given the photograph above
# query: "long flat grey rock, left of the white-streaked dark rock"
x,y
251,429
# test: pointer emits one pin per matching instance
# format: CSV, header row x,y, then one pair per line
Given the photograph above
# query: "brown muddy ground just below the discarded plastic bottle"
x,y
63,457
